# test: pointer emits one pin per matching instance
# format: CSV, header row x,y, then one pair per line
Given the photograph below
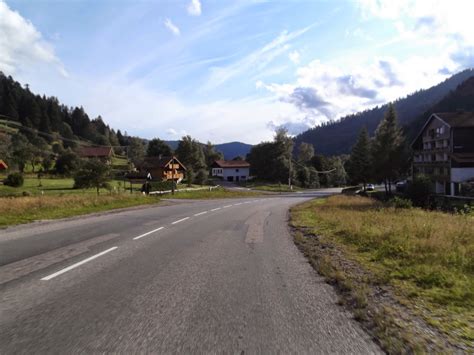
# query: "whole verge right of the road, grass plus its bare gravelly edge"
x,y
406,274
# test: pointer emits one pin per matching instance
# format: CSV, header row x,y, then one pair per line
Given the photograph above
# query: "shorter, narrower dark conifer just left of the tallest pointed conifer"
x,y
359,165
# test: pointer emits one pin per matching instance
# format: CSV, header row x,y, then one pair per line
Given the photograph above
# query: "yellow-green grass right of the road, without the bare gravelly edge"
x,y
427,258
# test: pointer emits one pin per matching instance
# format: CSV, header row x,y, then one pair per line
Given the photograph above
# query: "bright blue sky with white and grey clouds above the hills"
x,y
227,70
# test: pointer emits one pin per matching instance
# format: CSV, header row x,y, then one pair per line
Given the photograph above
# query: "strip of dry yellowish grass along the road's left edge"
x,y
17,210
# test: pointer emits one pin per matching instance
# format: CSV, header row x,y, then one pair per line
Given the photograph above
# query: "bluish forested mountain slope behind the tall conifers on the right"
x,y
338,137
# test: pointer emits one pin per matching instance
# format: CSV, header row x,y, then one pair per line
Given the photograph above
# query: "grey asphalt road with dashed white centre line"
x,y
195,276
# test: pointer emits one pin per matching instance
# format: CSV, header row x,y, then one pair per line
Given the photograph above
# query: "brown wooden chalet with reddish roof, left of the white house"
x,y
162,168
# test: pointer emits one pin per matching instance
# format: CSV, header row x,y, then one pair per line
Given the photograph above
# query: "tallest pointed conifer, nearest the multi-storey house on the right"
x,y
387,149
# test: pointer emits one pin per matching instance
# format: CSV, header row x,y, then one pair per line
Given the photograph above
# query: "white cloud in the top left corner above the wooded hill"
x,y
21,44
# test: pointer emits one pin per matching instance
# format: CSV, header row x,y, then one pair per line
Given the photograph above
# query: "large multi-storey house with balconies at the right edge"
x,y
444,151
